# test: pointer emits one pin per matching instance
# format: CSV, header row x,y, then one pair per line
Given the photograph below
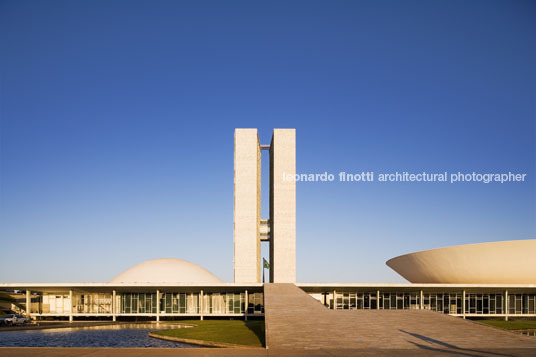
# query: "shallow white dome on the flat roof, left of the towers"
x,y
166,271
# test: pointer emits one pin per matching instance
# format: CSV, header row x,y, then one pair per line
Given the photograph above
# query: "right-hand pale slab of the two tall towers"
x,y
283,206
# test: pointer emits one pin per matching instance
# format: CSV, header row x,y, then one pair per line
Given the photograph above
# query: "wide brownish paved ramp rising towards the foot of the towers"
x,y
295,320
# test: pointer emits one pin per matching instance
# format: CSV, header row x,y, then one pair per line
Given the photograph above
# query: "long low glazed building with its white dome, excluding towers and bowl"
x,y
174,288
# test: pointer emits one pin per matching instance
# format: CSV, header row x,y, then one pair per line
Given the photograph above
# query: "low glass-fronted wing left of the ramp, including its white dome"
x,y
155,288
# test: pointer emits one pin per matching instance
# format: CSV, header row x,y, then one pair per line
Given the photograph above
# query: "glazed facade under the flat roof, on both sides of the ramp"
x,y
242,302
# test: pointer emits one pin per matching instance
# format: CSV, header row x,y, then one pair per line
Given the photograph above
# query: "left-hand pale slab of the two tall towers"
x,y
247,208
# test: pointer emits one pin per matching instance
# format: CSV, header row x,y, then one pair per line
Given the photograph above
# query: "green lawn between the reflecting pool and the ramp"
x,y
249,333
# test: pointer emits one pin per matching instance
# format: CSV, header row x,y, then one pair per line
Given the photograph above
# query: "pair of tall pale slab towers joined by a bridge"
x,y
249,227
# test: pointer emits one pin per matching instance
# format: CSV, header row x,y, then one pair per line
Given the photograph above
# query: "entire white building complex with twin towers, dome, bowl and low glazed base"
x,y
476,280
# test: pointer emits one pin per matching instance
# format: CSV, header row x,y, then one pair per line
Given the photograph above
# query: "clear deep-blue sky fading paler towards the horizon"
x,y
117,122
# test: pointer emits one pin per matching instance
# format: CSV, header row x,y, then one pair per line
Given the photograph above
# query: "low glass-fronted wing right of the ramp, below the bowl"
x,y
464,300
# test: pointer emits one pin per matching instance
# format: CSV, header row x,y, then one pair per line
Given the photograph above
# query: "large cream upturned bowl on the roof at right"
x,y
508,262
